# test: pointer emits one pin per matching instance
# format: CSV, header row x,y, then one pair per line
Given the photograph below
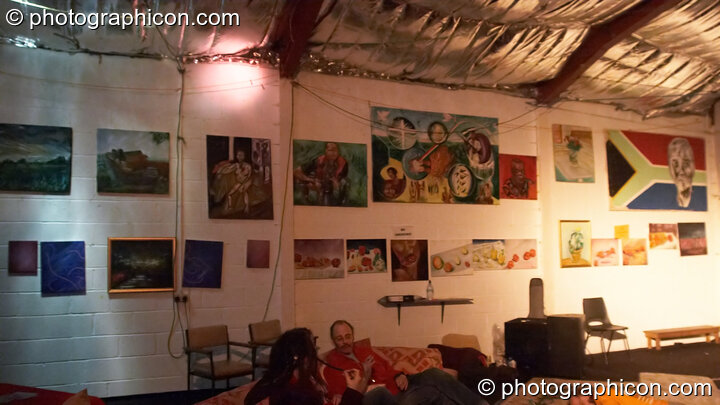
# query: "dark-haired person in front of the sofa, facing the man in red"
x,y
292,377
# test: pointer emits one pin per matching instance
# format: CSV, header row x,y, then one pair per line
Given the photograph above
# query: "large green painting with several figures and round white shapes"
x,y
430,157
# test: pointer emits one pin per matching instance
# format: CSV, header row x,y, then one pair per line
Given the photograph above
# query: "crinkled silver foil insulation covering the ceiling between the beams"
x,y
669,65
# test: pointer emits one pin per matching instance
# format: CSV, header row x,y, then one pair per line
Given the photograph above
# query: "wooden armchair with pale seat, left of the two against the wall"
x,y
201,342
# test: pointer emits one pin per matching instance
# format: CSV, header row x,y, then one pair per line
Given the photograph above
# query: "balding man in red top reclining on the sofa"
x,y
432,386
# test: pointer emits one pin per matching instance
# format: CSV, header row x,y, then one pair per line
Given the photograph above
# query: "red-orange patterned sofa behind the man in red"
x,y
410,360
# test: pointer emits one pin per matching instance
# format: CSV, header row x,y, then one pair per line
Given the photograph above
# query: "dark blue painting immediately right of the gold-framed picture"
x,y
203,264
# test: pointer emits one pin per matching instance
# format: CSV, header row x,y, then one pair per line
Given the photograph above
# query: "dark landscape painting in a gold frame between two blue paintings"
x,y
141,264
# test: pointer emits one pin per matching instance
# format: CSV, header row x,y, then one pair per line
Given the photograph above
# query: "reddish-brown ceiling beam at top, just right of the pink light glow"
x,y
292,32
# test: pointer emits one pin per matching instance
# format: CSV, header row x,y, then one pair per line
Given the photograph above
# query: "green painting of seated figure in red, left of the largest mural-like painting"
x,y
329,173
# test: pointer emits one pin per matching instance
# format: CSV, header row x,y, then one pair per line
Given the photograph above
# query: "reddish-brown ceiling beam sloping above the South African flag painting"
x,y
599,40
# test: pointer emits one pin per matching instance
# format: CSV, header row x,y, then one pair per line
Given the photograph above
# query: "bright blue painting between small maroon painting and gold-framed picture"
x,y
63,268
